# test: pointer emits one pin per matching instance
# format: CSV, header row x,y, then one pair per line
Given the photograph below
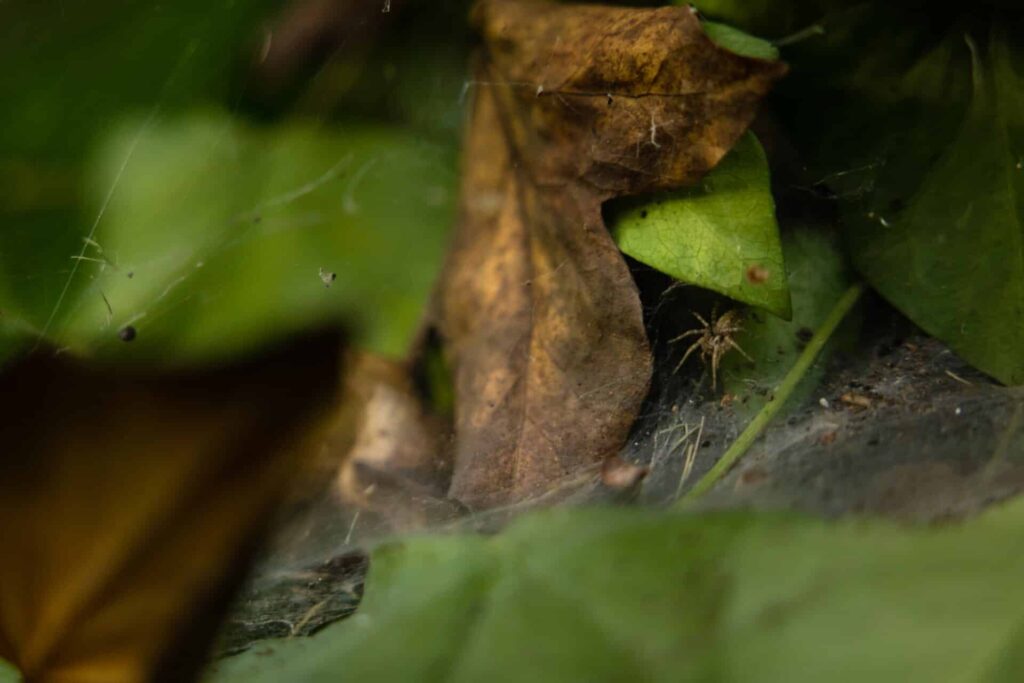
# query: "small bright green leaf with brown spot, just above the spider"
x,y
721,236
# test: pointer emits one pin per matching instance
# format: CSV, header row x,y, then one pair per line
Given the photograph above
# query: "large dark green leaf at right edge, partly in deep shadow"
x,y
925,137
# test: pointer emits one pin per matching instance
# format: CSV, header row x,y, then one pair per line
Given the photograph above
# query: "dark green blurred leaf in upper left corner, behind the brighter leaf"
x,y
72,73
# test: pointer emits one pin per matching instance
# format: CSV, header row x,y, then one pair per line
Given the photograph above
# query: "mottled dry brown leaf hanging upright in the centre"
x,y
541,320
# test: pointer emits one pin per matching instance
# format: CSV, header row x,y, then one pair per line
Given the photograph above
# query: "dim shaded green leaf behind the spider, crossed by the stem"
x,y
818,277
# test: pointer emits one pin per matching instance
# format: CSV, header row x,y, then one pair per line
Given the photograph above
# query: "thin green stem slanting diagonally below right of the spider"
x,y
790,382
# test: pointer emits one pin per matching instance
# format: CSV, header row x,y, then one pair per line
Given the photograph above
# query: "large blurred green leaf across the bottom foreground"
x,y
613,595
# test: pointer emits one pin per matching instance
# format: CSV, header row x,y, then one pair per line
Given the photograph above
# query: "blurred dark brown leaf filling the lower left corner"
x,y
131,503
